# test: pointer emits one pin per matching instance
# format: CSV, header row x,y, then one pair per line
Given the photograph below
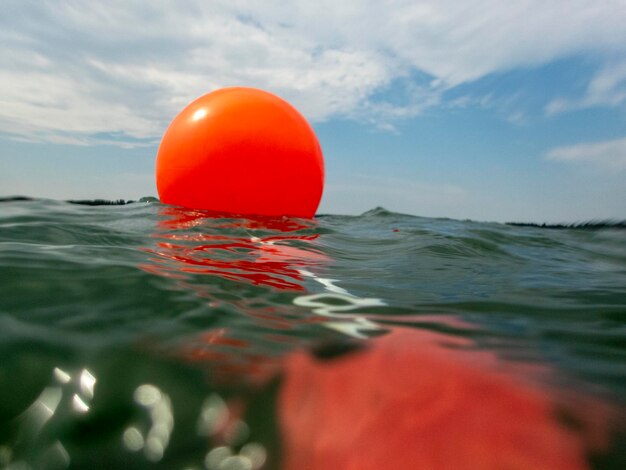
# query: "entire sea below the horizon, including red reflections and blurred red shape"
x,y
143,335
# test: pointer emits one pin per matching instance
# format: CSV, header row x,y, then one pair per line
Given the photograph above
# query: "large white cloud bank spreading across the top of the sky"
x,y
81,71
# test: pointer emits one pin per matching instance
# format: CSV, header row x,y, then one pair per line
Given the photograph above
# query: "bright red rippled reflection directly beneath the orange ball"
x,y
265,260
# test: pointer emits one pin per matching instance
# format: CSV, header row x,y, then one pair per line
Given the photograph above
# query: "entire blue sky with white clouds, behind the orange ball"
x,y
468,109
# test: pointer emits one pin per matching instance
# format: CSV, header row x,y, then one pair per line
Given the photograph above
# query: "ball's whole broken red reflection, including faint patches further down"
x,y
273,252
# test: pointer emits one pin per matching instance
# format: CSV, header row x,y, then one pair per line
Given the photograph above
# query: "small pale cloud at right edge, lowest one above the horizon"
x,y
609,155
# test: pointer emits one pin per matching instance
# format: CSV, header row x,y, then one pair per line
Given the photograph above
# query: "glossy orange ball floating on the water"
x,y
241,151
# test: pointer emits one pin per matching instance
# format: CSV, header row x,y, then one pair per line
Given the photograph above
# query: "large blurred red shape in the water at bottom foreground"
x,y
409,402
